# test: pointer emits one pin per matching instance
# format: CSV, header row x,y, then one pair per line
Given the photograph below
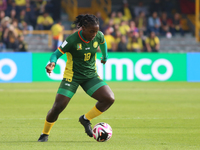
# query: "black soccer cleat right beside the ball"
x,y
87,126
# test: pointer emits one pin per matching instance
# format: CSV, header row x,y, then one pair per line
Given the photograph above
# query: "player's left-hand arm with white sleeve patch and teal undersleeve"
x,y
65,47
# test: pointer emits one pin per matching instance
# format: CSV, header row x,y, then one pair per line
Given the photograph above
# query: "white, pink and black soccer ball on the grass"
x,y
102,132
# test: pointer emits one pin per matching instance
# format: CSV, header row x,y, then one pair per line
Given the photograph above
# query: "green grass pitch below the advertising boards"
x,y
145,116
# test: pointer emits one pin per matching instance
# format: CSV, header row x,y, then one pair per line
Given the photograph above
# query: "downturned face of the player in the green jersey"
x,y
90,32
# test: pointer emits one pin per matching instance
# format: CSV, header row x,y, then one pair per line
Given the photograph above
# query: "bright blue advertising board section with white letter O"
x,y
15,67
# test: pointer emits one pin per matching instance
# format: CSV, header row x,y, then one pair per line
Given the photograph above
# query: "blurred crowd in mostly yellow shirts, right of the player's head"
x,y
139,29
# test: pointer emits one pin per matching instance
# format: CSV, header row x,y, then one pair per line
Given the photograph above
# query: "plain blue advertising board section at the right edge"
x,y
193,67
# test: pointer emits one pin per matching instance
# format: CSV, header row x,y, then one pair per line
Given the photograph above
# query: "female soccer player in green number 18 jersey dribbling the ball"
x,y
80,48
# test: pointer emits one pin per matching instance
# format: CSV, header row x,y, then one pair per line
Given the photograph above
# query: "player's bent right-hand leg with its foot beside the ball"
x,y
99,90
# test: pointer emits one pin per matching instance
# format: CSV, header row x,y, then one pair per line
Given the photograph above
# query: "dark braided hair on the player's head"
x,y
85,20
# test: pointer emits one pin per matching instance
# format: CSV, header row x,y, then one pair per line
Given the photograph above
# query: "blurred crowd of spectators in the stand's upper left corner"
x,y
20,17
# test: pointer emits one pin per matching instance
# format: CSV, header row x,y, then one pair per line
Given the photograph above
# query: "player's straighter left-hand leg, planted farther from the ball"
x,y
64,94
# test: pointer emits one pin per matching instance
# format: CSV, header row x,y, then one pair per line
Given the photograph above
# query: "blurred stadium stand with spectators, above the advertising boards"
x,y
121,19
